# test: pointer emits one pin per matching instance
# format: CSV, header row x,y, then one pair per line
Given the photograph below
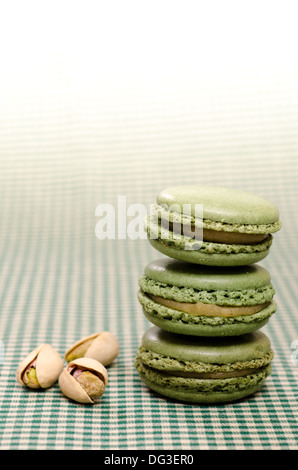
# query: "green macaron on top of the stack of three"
x,y
213,226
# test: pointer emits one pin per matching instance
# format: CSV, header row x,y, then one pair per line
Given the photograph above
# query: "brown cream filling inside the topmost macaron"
x,y
214,235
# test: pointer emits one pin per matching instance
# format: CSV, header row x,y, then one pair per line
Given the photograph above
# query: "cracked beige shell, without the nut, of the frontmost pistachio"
x,y
71,388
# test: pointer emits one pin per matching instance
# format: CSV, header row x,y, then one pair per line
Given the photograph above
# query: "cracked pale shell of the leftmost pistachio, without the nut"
x,y
49,365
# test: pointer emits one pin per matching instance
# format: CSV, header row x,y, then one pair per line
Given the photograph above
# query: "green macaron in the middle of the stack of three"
x,y
198,300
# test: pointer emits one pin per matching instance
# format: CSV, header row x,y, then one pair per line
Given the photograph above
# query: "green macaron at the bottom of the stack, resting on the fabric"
x,y
204,370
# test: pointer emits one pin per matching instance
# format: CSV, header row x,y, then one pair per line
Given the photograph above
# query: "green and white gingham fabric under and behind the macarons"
x,y
80,127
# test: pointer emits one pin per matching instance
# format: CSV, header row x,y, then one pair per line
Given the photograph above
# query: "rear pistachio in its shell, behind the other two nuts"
x,y
104,347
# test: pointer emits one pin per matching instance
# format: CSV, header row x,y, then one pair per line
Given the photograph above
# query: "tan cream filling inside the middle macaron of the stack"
x,y
210,310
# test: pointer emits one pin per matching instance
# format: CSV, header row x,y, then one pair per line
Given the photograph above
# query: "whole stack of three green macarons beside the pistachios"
x,y
207,298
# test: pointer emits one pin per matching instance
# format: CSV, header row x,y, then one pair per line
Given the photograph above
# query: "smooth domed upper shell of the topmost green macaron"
x,y
222,204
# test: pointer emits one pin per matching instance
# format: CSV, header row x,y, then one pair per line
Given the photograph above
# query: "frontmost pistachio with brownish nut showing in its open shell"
x,y
84,380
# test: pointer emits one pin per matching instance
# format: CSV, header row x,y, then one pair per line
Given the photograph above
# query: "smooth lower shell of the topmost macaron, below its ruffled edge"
x,y
208,259
